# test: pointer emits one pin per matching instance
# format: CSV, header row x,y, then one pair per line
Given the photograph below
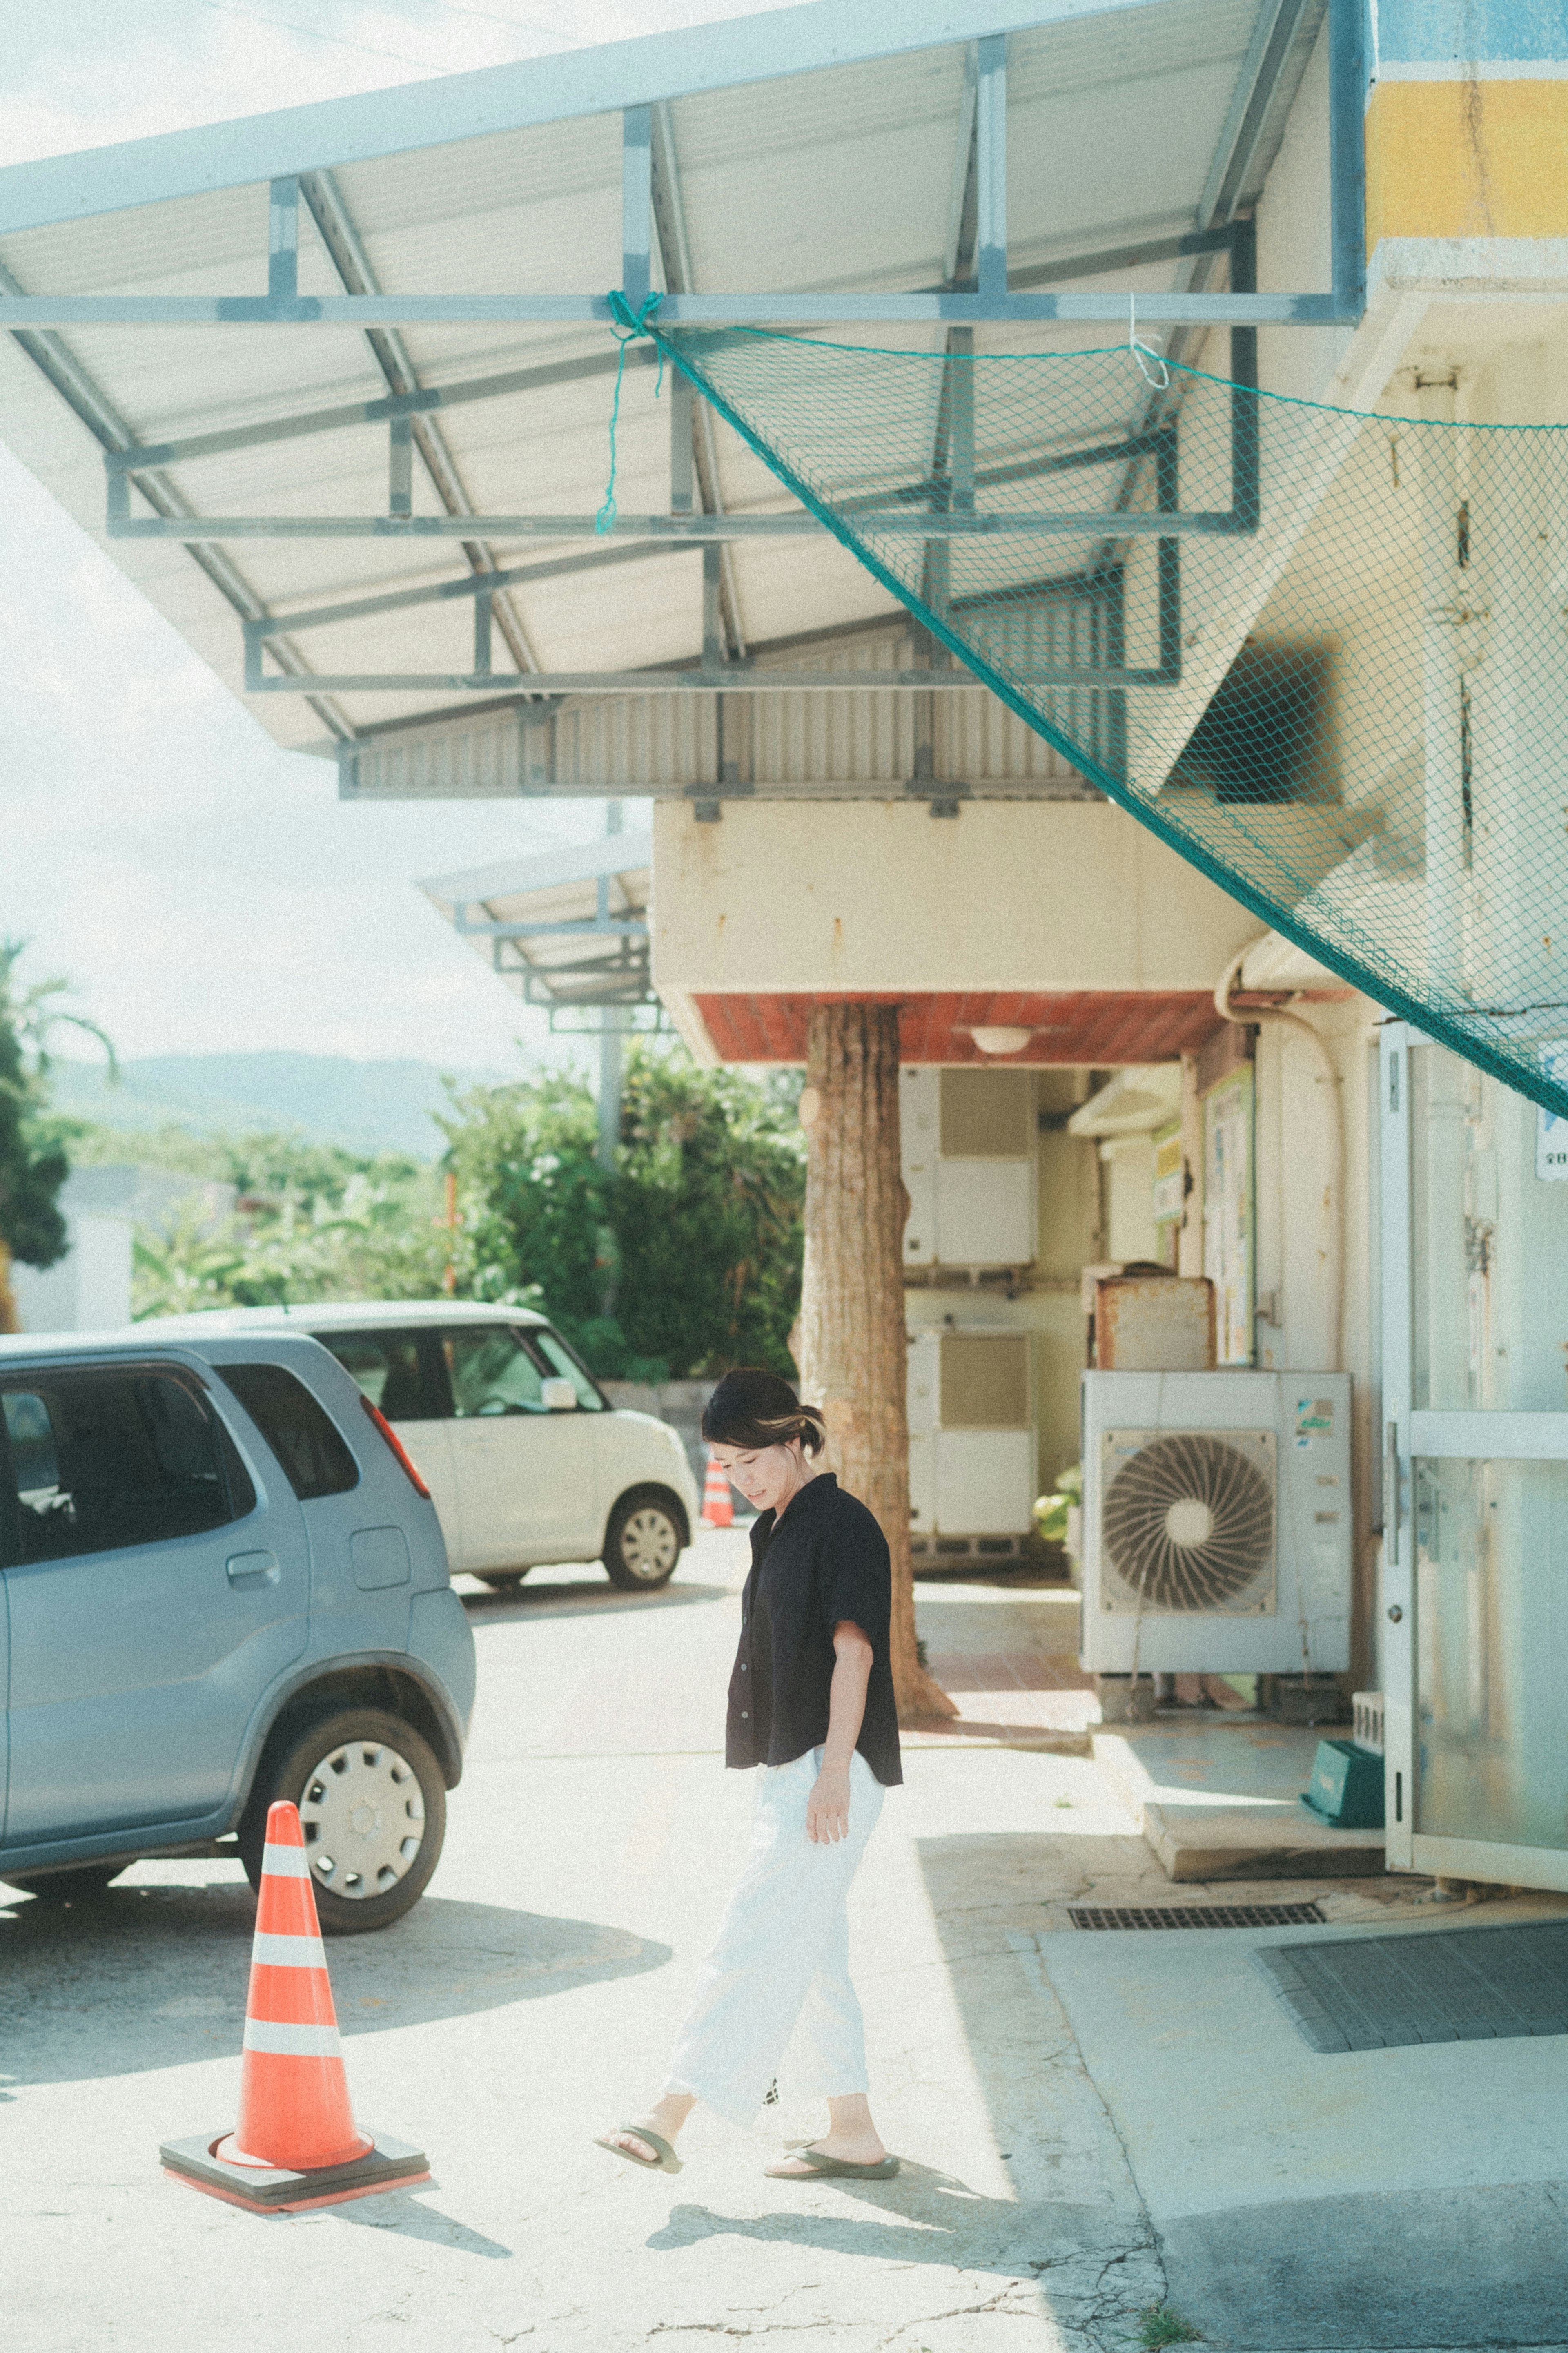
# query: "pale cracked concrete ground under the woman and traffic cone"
x,y
535,1992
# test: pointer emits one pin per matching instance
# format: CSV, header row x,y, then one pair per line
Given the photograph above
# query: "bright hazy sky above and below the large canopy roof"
x,y
201,888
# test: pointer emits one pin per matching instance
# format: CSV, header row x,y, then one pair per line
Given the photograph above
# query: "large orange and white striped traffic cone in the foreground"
x,y
295,2145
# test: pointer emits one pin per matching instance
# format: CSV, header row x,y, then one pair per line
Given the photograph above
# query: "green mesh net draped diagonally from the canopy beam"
x,y
1322,655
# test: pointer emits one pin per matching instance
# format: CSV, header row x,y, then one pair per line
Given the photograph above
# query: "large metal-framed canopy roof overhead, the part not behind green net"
x,y
389,462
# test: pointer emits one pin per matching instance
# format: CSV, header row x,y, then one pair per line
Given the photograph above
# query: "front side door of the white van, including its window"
x,y
528,1477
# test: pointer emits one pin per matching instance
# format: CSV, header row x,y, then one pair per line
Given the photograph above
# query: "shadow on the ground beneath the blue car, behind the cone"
x,y
147,1978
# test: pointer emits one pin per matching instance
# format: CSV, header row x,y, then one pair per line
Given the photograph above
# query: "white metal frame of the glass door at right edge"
x,y
1416,1434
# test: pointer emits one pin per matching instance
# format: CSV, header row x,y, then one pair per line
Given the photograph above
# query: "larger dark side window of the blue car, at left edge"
x,y
107,1460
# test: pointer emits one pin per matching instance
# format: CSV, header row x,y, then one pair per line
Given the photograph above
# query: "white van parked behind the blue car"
x,y
521,1451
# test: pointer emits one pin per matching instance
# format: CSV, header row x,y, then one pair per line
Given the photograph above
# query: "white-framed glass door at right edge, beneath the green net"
x,y
1475,1474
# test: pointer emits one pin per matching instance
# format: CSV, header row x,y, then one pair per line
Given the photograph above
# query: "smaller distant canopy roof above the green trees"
x,y
568,928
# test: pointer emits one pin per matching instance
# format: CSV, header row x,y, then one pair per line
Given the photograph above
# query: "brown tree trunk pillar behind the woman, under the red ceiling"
x,y
852,1324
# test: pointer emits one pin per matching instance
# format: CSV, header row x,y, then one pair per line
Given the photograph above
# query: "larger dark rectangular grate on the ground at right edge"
x,y
1470,1985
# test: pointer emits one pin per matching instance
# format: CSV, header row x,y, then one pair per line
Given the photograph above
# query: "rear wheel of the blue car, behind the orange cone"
x,y
337,1771
